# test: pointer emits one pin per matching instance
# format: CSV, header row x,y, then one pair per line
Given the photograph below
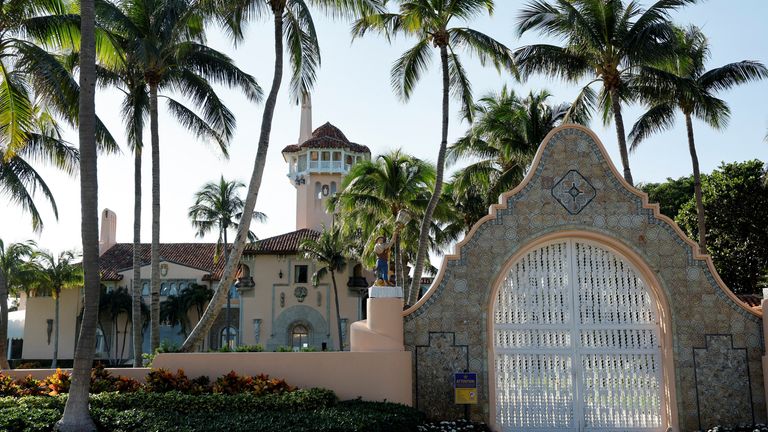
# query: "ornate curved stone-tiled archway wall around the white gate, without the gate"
x,y
573,191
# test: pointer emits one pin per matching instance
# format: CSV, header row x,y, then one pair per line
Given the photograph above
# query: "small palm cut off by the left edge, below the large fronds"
x,y
14,262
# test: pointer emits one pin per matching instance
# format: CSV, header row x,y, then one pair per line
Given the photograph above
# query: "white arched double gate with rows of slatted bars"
x,y
577,343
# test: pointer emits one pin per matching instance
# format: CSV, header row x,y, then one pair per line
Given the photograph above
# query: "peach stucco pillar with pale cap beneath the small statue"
x,y
383,330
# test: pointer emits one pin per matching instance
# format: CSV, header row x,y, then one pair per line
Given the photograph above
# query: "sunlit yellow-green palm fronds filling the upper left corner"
x,y
35,90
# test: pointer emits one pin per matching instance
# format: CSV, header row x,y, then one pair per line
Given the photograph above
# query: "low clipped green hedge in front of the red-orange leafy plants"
x,y
302,410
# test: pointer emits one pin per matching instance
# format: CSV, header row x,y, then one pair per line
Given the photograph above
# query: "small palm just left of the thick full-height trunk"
x,y
53,275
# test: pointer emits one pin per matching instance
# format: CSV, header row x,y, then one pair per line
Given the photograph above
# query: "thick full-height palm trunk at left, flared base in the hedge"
x,y
76,416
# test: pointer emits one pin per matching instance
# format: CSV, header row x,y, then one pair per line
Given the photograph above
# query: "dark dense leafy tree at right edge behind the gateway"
x,y
736,204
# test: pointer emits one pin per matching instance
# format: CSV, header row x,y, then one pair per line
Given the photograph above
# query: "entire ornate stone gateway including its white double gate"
x,y
581,307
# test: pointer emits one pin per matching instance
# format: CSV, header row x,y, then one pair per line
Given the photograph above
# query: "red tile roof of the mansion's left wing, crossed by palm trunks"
x,y
196,255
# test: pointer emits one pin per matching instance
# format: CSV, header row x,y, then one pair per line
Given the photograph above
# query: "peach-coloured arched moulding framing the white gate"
x,y
652,283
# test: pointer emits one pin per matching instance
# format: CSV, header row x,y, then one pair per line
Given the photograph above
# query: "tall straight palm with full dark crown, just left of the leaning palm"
x,y
165,41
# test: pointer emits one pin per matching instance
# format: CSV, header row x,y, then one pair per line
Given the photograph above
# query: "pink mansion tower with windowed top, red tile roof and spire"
x,y
316,167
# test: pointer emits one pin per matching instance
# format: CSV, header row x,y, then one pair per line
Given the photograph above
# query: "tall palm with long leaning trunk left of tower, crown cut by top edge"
x,y
293,22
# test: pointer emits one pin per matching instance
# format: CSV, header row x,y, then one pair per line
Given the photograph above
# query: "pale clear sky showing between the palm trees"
x,y
353,93
